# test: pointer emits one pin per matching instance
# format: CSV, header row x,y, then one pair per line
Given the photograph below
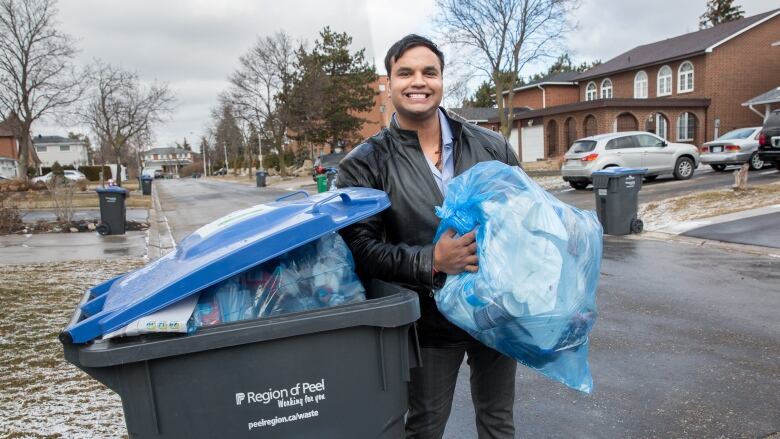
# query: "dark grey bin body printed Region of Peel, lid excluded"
x,y
340,372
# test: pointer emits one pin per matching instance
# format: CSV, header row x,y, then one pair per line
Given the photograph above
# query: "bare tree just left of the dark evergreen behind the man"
x,y
264,73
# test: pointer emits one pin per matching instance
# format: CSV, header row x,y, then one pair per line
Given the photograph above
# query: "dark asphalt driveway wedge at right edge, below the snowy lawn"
x,y
762,230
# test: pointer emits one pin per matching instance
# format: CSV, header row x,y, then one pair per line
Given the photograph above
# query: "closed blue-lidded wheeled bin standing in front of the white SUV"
x,y
617,195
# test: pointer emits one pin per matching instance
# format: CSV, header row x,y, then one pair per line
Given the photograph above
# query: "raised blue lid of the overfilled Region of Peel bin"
x,y
219,250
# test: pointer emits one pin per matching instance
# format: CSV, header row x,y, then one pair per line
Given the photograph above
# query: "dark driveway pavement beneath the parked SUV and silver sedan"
x,y
666,186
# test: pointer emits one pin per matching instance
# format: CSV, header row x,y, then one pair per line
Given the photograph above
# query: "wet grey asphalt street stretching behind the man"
x,y
686,344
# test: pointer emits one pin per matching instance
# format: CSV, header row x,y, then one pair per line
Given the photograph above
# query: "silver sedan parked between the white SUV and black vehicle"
x,y
733,148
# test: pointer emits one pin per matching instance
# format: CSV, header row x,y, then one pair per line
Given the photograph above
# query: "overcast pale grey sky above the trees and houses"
x,y
193,45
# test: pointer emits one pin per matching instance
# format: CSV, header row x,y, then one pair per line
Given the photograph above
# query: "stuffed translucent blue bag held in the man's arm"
x,y
534,295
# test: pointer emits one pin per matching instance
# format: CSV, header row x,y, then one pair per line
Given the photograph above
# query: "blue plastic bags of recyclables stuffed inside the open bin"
x,y
316,275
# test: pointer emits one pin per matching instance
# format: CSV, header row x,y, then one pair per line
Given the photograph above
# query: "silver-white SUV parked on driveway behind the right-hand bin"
x,y
633,149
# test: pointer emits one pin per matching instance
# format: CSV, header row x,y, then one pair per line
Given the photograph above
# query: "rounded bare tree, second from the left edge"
x,y
121,111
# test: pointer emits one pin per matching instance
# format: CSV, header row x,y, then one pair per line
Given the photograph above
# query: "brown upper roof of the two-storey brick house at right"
x,y
694,43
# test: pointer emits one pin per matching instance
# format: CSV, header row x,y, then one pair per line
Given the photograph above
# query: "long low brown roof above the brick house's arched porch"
x,y
616,103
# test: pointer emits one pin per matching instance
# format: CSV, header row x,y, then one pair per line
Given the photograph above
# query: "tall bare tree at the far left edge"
x,y
37,74
